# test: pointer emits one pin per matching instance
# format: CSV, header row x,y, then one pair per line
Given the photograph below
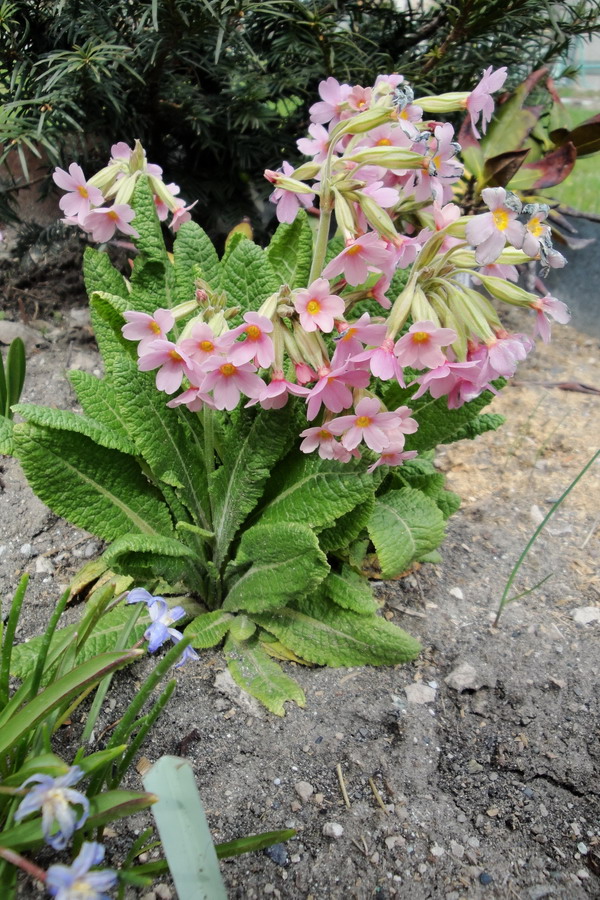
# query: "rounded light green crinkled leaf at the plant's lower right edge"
x,y
404,526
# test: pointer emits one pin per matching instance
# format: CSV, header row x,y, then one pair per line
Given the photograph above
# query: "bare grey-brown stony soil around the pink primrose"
x,y
489,789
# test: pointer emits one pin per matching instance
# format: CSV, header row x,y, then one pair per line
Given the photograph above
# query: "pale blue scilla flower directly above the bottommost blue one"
x,y
56,798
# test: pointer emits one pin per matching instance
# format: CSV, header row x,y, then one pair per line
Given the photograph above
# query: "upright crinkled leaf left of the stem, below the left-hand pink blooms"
x,y
161,436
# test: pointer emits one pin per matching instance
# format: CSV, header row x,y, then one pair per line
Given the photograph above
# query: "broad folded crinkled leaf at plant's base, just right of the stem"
x,y
285,562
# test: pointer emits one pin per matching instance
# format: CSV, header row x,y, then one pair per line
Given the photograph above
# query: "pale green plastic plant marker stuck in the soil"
x,y
183,830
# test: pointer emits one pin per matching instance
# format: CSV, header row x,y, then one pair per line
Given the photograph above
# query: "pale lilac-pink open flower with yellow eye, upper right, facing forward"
x,y
489,232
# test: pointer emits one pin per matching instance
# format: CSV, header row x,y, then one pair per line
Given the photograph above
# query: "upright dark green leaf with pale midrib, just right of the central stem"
x,y
252,447
